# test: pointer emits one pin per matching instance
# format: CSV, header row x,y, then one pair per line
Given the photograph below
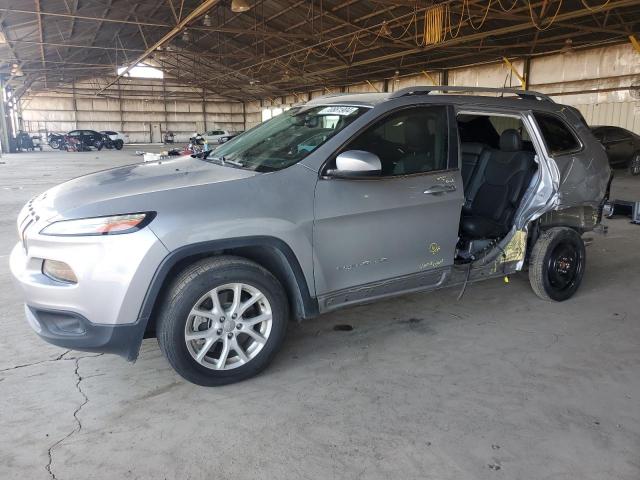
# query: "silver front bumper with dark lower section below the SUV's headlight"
x,y
101,311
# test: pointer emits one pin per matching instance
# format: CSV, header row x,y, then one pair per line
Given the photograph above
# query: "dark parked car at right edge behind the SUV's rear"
x,y
622,146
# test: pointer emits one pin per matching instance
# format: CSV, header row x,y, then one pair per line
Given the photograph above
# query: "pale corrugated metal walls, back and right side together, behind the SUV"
x,y
596,81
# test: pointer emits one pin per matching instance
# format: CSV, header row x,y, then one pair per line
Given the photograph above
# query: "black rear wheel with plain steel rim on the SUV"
x,y
557,264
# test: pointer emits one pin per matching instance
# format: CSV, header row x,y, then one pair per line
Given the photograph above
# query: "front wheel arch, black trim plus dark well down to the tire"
x,y
270,252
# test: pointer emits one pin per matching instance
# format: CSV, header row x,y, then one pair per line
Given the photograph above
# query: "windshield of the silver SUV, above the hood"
x,y
286,139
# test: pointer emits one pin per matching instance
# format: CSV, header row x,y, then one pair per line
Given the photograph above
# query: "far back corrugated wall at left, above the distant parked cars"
x,y
139,107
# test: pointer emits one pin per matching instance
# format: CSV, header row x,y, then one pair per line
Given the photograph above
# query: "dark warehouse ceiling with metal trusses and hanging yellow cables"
x,y
282,47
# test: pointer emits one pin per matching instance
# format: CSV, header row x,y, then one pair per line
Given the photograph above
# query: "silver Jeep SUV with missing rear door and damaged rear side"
x,y
340,201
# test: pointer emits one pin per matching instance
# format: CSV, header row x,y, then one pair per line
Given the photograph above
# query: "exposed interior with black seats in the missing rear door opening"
x,y
498,164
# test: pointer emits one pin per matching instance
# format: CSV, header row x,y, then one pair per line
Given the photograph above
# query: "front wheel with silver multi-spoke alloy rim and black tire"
x,y
223,321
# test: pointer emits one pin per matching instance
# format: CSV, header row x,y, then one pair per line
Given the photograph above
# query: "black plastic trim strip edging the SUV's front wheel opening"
x,y
304,305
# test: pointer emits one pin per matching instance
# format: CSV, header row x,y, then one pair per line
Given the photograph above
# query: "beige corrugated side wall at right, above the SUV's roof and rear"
x,y
573,77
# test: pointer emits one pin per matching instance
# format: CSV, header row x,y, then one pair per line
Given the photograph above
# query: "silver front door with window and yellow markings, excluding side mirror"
x,y
399,231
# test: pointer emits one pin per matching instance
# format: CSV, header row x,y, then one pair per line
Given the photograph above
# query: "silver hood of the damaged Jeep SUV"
x,y
131,180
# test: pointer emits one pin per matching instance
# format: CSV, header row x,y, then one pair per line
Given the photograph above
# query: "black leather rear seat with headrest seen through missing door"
x,y
501,186
